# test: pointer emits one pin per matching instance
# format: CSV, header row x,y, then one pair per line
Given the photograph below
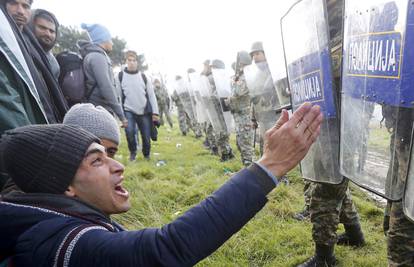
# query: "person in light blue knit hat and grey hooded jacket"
x,y
97,66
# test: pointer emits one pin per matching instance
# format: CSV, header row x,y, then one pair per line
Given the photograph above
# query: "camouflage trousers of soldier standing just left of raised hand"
x,y
244,136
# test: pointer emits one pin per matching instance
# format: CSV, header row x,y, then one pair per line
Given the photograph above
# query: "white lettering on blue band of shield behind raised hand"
x,y
307,89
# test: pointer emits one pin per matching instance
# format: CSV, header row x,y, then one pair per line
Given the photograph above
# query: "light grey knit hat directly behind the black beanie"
x,y
96,120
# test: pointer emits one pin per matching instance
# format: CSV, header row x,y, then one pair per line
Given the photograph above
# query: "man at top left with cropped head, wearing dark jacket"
x,y
51,96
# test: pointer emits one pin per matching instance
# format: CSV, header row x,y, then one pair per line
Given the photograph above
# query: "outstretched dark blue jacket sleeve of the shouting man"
x,y
188,239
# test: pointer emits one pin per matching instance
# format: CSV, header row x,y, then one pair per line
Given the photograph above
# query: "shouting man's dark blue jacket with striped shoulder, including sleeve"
x,y
54,230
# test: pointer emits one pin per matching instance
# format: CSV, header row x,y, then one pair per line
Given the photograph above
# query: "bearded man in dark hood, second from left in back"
x,y
45,26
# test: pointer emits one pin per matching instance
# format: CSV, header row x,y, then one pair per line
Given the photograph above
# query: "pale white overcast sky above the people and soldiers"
x,y
176,35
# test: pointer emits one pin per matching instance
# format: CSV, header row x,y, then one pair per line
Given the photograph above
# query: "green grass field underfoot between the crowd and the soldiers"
x,y
273,238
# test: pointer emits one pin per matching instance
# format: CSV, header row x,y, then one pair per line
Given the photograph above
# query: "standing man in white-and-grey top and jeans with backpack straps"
x,y
140,105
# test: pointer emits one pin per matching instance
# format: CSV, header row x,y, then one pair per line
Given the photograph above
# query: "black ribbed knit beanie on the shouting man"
x,y
44,158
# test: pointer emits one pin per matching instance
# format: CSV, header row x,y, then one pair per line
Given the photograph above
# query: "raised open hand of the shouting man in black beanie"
x,y
290,139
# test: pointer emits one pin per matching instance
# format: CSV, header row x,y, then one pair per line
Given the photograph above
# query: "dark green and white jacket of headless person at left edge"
x,y
19,100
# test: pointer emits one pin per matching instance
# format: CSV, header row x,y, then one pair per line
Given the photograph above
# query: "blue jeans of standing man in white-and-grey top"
x,y
144,123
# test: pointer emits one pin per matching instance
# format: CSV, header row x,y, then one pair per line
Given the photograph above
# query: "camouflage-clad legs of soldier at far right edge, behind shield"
x,y
400,237
